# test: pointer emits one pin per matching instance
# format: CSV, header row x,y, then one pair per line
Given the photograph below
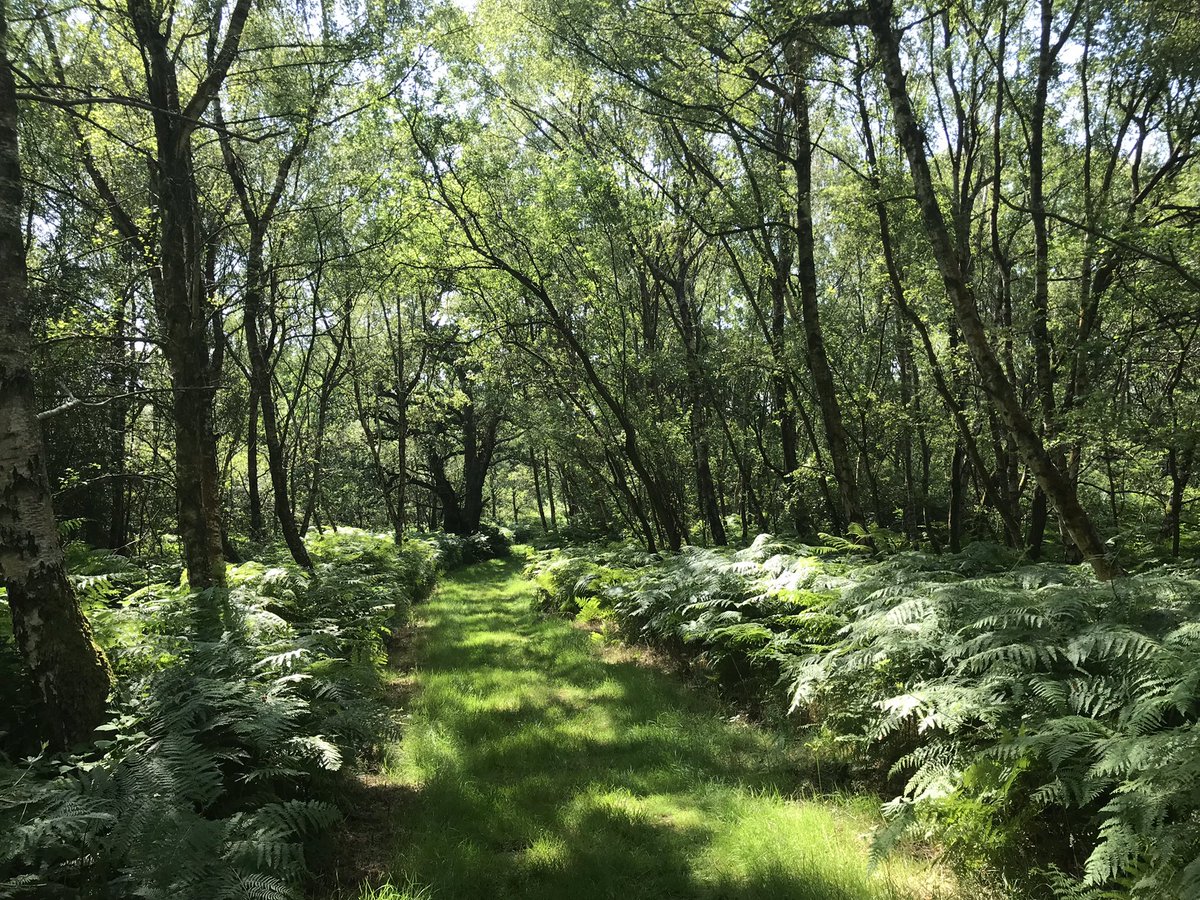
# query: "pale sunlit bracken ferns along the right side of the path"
x,y
1021,715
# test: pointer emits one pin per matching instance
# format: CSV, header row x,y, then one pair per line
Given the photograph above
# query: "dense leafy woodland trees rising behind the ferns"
x,y
874,277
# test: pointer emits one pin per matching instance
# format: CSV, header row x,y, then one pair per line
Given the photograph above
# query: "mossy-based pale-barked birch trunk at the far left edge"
x,y
70,673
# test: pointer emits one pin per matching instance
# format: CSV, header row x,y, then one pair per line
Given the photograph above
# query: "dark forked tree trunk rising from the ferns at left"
x,y
177,249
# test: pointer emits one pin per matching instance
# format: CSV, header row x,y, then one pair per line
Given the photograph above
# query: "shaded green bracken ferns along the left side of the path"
x,y
220,763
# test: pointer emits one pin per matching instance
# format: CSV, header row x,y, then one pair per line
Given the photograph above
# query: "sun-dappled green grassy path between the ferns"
x,y
542,771
